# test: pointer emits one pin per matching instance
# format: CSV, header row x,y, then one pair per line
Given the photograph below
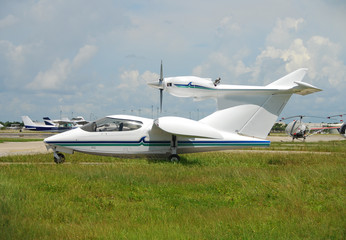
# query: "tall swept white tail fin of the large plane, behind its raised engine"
x,y
253,112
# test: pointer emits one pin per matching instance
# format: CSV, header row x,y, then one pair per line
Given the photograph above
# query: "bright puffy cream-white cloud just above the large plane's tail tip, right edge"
x,y
318,54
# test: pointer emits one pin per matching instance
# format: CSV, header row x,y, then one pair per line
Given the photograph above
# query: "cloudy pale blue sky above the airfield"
x,y
69,58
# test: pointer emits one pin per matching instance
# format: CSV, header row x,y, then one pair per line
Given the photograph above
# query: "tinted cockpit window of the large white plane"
x,y
112,125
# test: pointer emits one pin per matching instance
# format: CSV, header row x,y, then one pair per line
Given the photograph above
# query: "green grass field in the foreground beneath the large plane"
x,y
236,195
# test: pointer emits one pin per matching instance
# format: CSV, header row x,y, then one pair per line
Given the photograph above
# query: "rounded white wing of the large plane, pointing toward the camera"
x,y
186,127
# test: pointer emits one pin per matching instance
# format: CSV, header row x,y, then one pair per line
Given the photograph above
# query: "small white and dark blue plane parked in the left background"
x,y
48,125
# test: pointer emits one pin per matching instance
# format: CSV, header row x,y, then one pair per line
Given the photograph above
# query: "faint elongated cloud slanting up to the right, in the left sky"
x,y
55,77
